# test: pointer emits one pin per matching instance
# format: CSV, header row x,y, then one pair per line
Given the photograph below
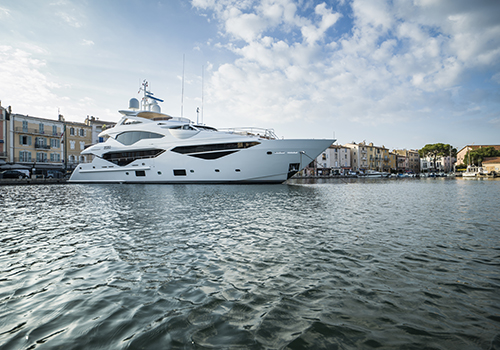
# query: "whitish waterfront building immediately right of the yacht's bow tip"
x,y
335,160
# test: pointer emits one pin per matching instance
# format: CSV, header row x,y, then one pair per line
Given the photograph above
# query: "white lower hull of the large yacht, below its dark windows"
x,y
271,161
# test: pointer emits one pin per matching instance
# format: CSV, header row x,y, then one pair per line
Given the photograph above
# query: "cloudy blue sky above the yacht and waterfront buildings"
x,y
397,73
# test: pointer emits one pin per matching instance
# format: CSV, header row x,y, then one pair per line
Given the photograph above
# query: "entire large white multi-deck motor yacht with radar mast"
x,y
147,146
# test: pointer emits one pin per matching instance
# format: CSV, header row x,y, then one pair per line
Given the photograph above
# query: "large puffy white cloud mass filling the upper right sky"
x,y
293,63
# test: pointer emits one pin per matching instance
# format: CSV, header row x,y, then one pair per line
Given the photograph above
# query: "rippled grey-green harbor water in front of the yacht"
x,y
333,264
